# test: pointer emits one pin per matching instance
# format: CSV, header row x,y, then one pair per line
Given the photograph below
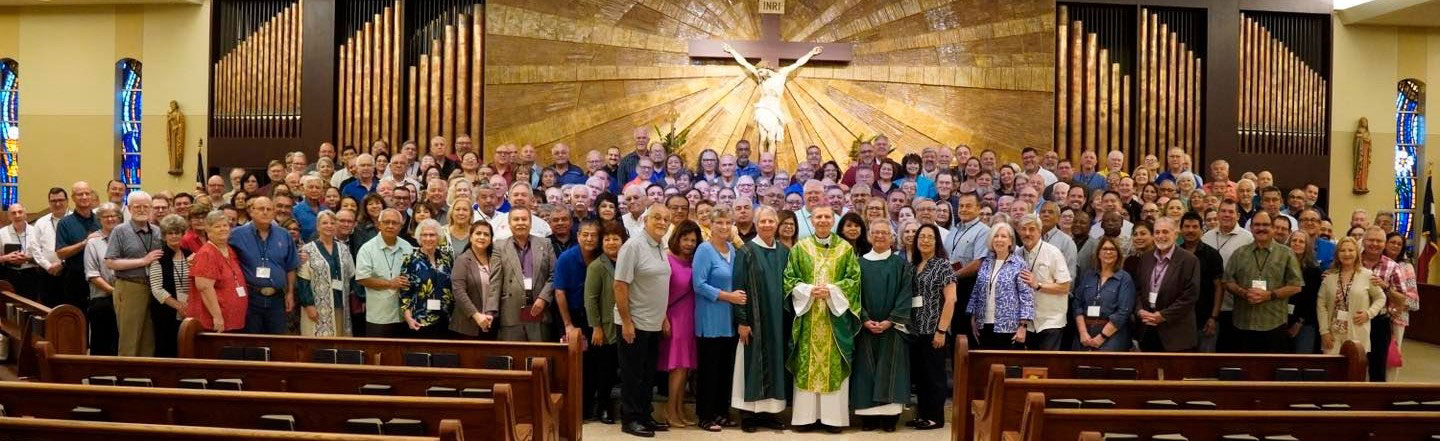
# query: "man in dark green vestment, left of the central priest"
x,y
761,386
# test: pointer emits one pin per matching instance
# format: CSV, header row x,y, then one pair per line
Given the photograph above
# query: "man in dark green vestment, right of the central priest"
x,y
881,384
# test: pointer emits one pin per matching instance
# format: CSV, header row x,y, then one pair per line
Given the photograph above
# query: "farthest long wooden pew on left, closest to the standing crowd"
x,y
565,358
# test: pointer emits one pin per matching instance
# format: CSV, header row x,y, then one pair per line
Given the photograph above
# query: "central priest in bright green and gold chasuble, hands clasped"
x,y
823,277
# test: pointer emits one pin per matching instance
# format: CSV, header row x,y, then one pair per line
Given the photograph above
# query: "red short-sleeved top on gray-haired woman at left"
x,y
227,275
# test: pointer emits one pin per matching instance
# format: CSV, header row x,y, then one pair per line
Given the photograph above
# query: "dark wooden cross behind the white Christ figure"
x,y
770,48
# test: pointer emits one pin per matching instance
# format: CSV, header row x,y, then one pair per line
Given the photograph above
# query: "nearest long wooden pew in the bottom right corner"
x,y
1042,424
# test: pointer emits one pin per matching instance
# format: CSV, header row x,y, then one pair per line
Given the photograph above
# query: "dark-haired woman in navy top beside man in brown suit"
x,y
1102,302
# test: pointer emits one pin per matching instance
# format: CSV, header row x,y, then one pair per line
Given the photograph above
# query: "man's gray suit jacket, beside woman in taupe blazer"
x,y
513,296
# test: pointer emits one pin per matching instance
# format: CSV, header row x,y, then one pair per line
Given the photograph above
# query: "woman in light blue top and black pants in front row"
x,y
715,332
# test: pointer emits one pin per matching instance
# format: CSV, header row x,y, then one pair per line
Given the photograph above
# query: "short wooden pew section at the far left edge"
x,y
25,322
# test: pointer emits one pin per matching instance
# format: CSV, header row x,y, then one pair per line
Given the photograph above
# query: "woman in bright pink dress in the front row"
x,y
678,347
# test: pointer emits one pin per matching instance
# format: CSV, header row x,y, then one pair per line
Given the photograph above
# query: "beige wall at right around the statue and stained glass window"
x,y
1369,64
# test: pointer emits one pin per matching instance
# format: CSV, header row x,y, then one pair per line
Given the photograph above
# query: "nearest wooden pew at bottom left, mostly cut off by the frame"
x,y
45,429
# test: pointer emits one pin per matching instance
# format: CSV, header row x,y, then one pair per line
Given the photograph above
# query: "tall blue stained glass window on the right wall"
x,y
1410,135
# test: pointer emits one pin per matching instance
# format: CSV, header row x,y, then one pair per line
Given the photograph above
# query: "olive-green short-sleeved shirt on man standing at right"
x,y
1274,264
